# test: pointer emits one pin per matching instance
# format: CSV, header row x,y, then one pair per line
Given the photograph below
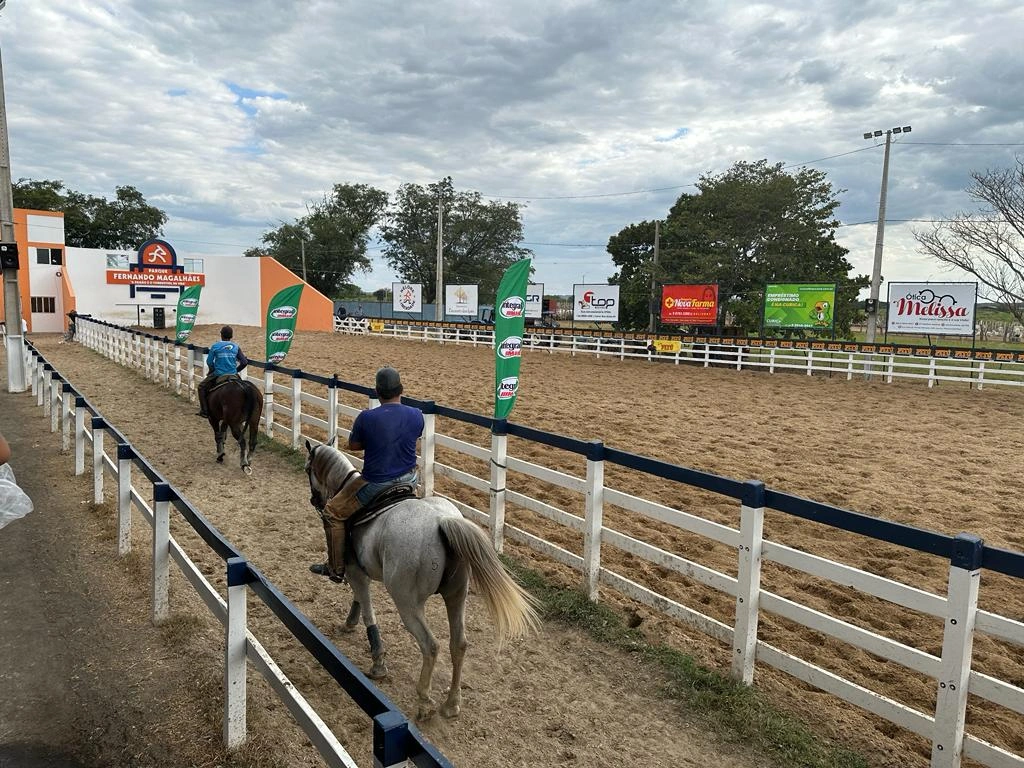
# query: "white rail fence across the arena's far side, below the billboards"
x,y
886,363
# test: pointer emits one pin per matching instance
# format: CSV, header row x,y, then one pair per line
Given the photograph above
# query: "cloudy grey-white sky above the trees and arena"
x,y
232,116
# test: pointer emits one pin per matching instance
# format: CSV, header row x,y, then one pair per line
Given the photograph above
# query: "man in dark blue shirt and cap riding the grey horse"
x,y
388,436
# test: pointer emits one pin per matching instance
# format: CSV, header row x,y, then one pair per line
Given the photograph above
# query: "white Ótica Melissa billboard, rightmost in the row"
x,y
932,309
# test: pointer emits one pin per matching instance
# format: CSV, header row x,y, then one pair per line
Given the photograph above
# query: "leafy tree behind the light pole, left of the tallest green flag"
x,y
480,238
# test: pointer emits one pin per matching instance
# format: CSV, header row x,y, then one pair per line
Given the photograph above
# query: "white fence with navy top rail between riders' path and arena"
x,y
179,366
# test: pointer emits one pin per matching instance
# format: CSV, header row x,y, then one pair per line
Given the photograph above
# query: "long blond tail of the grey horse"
x,y
513,609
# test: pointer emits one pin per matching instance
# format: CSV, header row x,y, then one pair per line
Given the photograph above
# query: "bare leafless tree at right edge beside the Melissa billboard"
x,y
989,244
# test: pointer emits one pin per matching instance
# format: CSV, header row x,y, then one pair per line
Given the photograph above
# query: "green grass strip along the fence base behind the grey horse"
x,y
737,713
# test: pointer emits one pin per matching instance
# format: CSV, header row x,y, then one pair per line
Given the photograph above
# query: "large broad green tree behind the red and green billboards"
x,y
753,225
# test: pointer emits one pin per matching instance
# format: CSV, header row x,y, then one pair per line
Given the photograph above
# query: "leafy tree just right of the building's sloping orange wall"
x,y
333,235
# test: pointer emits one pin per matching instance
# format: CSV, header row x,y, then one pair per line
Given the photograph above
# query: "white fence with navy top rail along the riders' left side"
x,y
396,741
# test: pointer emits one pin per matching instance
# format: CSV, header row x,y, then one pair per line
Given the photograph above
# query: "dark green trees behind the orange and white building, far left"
x,y
123,224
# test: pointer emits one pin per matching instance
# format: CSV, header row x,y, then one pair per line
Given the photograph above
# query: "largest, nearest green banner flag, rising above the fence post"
x,y
510,319
